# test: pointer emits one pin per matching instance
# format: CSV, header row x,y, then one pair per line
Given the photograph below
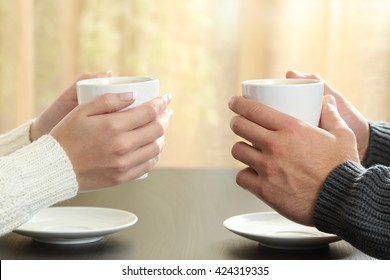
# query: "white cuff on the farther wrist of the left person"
x,y
15,139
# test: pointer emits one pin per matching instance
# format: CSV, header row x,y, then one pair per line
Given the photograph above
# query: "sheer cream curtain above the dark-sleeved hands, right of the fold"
x,y
346,41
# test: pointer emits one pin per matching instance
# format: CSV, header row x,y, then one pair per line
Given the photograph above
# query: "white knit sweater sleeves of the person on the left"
x,y
32,177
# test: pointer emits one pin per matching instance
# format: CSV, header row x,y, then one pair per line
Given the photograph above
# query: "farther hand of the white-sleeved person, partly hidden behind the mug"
x,y
65,103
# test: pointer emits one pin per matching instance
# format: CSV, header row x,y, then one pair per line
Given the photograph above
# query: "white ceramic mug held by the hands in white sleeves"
x,y
144,88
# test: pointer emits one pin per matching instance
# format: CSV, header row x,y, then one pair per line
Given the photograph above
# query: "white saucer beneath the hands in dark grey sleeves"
x,y
273,230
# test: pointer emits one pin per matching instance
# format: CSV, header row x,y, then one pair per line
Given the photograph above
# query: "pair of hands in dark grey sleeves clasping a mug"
x,y
289,159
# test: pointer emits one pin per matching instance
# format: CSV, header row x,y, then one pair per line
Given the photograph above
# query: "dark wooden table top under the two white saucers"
x,y
181,214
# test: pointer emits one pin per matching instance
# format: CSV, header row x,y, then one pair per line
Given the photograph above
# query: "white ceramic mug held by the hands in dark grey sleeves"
x,y
300,98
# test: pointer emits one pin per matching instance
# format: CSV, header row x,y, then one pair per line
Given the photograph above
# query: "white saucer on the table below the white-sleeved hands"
x,y
75,225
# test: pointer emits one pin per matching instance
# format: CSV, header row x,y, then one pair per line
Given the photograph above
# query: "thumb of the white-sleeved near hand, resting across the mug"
x,y
109,103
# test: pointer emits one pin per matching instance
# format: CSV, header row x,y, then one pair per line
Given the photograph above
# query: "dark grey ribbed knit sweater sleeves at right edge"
x,y
354,202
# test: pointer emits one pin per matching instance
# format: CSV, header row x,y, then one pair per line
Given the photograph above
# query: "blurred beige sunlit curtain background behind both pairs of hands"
x,y
200,49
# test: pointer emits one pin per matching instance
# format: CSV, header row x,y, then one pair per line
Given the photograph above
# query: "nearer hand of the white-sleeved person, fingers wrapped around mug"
x,y
107,147
